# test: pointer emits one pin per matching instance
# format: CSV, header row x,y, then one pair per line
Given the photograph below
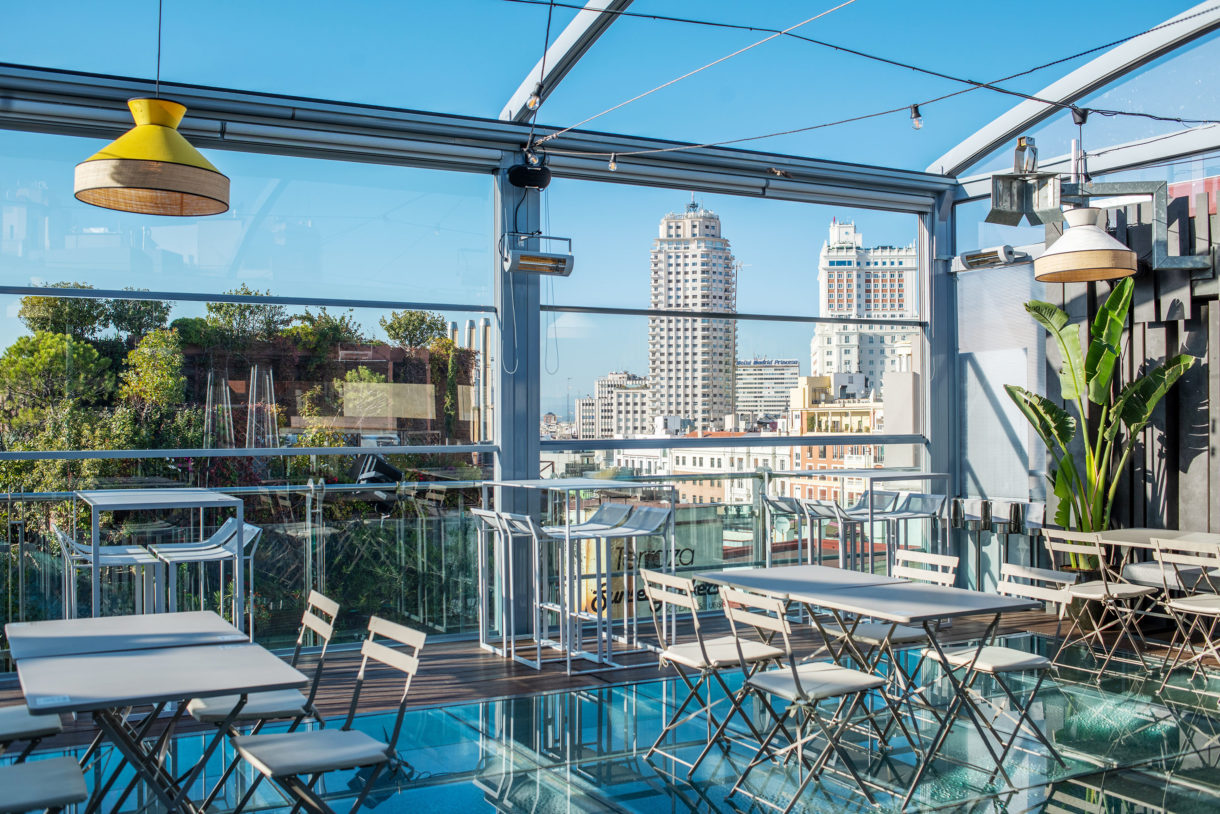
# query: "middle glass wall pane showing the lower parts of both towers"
x,y
630,376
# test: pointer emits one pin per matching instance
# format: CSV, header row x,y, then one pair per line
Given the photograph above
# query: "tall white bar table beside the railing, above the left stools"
x,y
101,501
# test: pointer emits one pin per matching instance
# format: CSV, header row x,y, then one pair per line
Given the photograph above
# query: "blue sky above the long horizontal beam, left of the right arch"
x,y
468,57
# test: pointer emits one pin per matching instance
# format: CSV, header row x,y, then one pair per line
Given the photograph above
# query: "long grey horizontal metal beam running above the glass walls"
x,y
95,106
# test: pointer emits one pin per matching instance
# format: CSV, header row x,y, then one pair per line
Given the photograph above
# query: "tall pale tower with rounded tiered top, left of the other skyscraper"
x,y
691,361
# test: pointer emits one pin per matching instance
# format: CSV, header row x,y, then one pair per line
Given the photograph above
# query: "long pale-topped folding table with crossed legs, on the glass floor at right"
x,y
897,602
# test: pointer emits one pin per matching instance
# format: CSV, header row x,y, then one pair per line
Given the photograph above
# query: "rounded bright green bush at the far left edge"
x,y
47,369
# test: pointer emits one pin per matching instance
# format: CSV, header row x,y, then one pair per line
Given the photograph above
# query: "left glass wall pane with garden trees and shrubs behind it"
x,y
82,374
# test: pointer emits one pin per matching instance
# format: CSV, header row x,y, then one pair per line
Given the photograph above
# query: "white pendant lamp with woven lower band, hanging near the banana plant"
x,y
1085,253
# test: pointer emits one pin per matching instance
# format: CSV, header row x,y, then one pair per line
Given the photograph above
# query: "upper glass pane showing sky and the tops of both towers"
x,y
663,248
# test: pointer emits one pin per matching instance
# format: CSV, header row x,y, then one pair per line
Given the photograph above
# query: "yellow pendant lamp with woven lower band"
x,y
152,169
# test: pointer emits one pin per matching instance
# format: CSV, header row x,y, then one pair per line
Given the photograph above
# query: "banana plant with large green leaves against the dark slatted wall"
x,y
1086,485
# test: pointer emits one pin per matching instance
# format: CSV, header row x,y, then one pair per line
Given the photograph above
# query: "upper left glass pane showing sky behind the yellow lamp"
x,y
297,228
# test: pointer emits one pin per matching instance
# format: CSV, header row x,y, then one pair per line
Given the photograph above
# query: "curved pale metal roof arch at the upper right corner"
x,y
1097,74
